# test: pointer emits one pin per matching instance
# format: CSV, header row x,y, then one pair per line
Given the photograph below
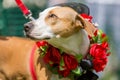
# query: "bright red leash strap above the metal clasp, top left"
x,y
23,8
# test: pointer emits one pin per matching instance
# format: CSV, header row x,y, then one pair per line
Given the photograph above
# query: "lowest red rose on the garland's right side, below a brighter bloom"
x,y
99,64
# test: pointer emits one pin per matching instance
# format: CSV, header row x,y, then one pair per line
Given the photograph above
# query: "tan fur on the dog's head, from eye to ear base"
x,y
68,21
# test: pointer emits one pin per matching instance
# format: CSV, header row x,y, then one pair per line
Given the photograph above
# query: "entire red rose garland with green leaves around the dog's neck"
x,y
66,65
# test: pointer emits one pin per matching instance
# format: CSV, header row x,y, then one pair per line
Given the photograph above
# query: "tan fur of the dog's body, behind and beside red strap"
x,y
14,60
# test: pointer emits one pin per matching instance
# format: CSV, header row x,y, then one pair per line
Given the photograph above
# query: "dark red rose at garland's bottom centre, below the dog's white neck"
x,y
70,61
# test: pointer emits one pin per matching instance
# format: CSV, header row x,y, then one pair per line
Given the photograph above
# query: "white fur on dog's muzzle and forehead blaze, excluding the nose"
x,y
41,30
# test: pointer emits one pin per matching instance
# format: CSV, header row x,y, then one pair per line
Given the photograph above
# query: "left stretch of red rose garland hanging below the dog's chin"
x,y
59,62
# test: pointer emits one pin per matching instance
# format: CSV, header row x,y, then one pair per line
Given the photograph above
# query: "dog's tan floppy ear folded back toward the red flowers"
x,y
84,24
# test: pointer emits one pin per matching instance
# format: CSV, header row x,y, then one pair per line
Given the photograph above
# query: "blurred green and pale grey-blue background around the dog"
x,y
105,12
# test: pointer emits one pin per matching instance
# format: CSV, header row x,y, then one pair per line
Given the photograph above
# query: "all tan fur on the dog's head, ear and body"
x,y
15,52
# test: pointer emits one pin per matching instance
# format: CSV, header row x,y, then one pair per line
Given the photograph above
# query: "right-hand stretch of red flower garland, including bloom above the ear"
x,y
99,48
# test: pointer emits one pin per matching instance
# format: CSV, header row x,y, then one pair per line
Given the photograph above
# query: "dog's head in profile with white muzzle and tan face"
x,y
55,22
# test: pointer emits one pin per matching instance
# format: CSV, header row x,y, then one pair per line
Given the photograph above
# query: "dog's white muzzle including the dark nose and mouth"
x,y
39,32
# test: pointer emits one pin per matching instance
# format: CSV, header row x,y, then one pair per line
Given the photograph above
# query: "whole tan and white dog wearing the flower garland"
x,y
61,27
